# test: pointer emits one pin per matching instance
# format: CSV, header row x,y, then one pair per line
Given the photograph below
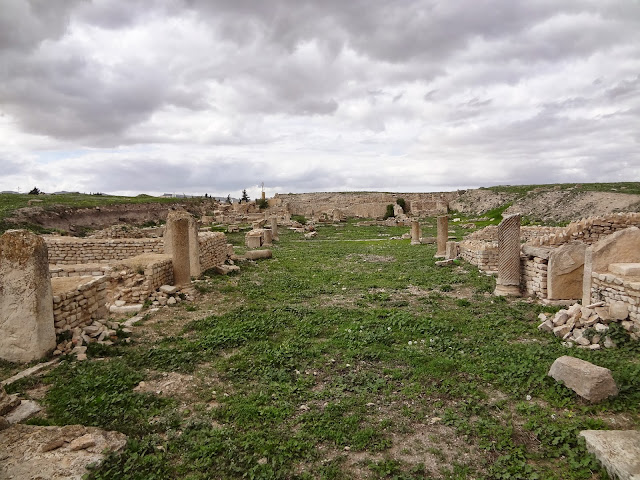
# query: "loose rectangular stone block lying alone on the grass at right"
x,y
591,382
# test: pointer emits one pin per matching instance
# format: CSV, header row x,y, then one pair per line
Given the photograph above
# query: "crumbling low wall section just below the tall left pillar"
x,y
135,279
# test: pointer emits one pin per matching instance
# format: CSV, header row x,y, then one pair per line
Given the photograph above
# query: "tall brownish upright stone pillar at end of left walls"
x,y
177,243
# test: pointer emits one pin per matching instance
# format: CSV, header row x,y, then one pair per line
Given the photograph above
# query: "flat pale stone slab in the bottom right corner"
x,y
617,450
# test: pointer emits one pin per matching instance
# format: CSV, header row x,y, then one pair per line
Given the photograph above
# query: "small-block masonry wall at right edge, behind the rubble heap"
x,y
610,288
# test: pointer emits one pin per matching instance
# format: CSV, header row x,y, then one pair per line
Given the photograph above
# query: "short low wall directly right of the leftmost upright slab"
x,y
78,301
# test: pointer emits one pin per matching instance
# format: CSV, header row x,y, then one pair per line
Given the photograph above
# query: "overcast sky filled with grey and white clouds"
x,y
195,96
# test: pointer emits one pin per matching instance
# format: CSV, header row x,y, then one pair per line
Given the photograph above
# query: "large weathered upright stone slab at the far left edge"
x,y
26,298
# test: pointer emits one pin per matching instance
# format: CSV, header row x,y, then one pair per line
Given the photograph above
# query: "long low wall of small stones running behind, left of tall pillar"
x,y
72,250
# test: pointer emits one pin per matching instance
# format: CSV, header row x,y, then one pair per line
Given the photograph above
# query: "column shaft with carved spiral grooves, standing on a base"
x,y
508,282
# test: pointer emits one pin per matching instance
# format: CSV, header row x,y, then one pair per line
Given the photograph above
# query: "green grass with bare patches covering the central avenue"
x,y
347,356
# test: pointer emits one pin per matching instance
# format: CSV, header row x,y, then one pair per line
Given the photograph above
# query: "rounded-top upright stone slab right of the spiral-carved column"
x,y
565,272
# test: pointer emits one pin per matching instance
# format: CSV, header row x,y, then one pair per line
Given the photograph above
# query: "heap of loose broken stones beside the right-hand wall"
x,y
584,326
